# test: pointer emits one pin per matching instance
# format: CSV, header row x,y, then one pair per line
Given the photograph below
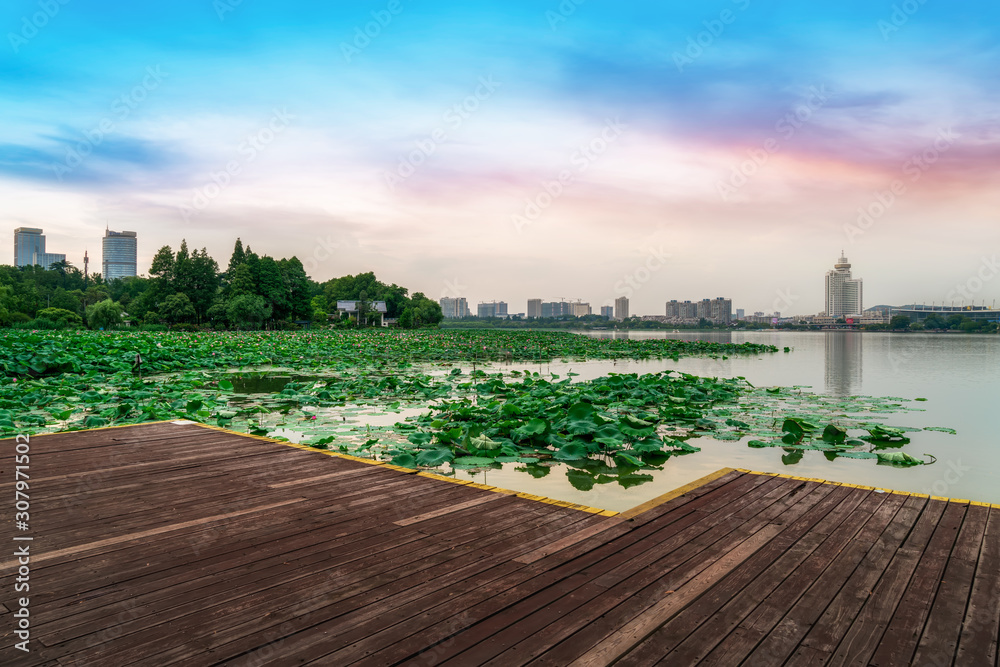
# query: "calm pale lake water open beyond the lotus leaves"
x,y
958,374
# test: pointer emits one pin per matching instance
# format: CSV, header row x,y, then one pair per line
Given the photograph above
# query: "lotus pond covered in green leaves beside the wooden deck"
x,y
490,405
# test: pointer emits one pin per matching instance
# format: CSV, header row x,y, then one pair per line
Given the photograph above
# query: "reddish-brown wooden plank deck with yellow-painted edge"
x,y
172,543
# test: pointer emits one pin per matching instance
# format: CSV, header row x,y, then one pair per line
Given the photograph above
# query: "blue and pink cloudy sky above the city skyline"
x,y
511,150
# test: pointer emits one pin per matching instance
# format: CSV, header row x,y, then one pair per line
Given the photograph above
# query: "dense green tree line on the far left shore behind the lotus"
x,y
187,288
